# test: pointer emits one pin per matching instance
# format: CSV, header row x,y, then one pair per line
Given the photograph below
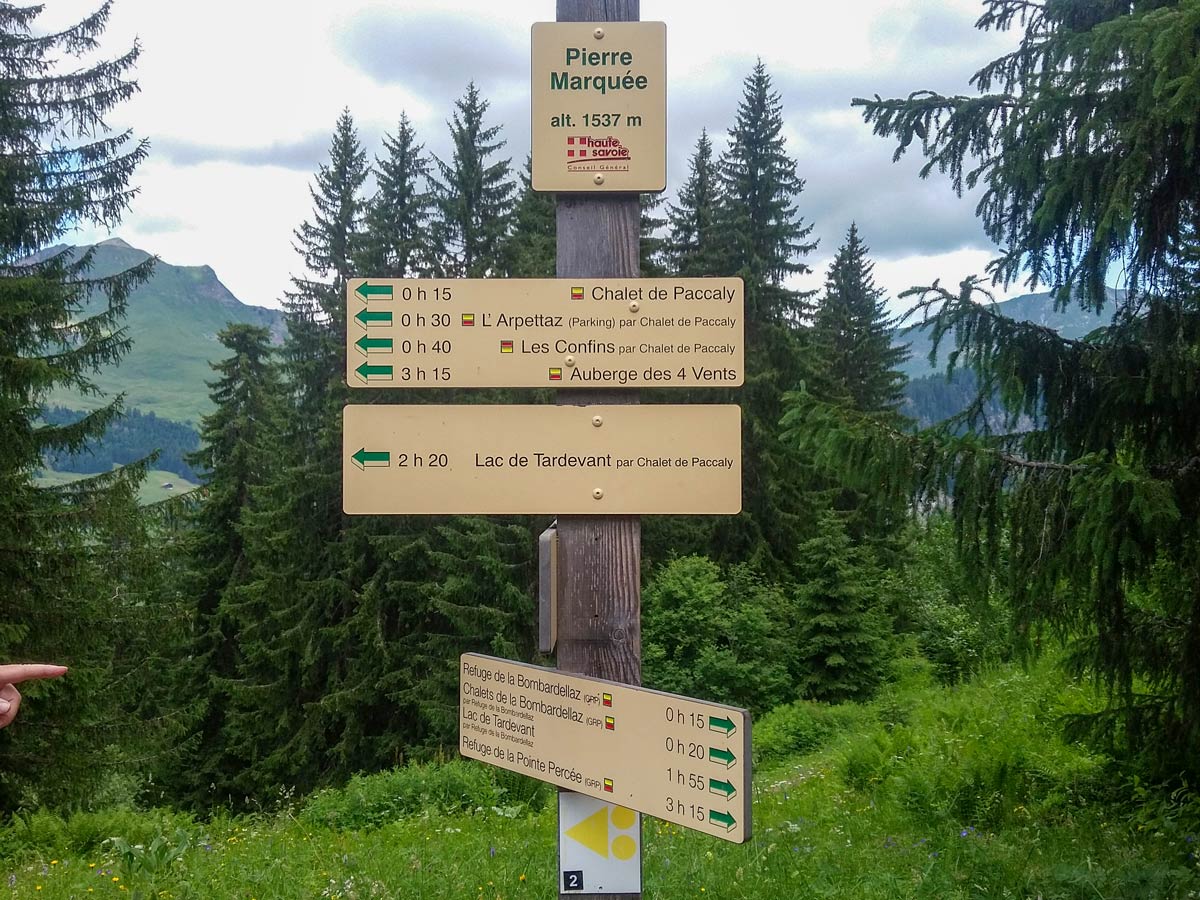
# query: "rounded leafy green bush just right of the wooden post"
x,y
727,637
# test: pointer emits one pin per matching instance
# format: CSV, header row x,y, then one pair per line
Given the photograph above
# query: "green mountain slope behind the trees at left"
x,y
173,320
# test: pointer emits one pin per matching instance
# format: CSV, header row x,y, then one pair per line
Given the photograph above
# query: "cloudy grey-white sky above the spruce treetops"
x,y
239,99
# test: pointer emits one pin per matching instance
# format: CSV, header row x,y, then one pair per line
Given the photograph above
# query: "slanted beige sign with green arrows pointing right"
x,y
681,760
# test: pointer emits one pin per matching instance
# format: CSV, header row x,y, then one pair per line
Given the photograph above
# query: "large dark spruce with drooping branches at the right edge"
x,y
1083,141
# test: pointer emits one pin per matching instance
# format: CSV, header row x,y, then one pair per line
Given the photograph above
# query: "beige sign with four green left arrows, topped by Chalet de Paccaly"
x,y
545,333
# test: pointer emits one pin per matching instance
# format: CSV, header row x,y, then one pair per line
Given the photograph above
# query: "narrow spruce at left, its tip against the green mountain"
x,y
236,455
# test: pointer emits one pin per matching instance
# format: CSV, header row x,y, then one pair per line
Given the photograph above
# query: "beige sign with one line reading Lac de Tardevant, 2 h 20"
x,y
497,460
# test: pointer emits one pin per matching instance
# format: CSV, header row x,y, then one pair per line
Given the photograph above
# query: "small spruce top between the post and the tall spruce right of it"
x,y
693,247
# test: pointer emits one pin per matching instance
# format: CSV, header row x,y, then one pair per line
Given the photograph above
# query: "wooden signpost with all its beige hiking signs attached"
x,y
598,459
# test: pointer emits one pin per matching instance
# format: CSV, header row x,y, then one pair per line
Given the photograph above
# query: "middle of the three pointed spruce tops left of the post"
x,y
395,242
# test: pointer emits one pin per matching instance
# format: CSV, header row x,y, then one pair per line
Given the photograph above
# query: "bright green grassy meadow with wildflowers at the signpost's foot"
x,y
929,791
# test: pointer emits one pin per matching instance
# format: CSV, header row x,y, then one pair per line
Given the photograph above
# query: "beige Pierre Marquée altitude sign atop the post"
x,y
599,106
